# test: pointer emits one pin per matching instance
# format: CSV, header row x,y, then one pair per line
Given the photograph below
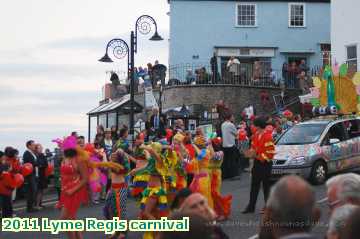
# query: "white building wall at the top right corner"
x,y
345,39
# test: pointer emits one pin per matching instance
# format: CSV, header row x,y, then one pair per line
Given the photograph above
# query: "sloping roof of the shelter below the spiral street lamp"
x,y
115,105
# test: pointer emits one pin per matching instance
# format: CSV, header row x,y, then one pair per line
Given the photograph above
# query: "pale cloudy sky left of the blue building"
x,y
50,76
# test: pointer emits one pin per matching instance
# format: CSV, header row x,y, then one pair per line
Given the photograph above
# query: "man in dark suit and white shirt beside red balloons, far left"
x,y
30,181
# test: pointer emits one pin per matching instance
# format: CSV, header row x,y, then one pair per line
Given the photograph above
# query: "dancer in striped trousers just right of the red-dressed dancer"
x,y
115,204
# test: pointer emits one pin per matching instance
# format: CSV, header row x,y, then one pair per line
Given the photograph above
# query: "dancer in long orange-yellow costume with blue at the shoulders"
x,y
201,182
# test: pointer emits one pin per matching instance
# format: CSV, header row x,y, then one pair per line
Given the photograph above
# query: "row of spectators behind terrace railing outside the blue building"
x,y
293,75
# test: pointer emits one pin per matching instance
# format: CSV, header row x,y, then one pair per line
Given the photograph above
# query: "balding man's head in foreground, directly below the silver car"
x,y
292,205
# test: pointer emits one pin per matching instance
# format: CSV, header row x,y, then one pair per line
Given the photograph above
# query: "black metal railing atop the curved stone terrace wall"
x,y
260,74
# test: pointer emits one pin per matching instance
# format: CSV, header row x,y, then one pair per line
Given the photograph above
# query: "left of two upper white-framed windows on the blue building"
x,y
246,15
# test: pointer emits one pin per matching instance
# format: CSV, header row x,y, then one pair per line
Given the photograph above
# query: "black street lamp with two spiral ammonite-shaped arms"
x,y
120,49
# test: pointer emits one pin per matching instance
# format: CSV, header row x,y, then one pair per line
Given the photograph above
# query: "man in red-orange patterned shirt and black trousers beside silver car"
x,y
262,151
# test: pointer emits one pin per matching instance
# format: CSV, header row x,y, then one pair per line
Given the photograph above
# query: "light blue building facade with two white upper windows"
x,y
267,31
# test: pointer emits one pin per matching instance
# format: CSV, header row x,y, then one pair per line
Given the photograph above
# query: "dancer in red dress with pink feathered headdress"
x,y
74,179
